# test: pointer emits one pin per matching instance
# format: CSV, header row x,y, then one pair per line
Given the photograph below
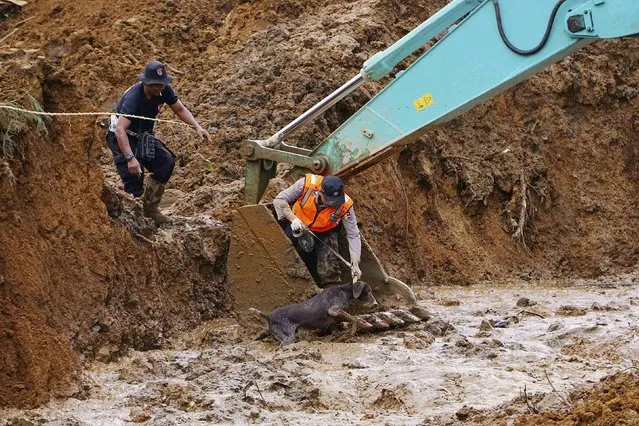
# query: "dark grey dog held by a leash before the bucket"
x,y
321,311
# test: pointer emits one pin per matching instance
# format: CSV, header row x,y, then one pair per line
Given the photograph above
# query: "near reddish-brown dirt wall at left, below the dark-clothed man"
x,y
75,279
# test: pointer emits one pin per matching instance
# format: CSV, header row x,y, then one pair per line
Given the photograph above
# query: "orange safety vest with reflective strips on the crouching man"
x,y
305,207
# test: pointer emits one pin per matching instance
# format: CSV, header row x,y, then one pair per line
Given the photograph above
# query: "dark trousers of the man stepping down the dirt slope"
x,y
161,166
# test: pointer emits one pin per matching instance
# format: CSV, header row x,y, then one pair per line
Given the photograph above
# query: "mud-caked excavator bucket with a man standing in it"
x,y
265,272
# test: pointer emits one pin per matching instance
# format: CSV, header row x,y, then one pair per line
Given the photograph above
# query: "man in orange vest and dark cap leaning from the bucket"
x,y
320,204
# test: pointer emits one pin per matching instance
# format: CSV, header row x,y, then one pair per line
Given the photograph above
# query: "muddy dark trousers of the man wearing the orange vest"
x,y
320,262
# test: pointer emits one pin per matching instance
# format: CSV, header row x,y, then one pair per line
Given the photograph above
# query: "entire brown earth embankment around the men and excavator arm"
x,y
82,277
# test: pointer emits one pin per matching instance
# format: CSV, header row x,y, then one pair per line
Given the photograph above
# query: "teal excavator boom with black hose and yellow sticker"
x,y
484,47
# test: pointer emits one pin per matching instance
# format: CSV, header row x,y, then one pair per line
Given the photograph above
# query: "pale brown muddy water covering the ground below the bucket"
x,y
567,336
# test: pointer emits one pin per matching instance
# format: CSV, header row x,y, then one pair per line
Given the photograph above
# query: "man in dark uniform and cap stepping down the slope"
x,y
125,135
